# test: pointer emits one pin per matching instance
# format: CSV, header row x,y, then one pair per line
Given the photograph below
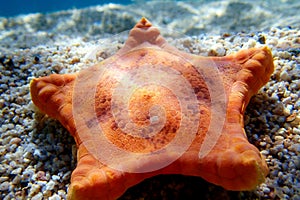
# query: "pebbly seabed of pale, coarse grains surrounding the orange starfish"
x,y
37,153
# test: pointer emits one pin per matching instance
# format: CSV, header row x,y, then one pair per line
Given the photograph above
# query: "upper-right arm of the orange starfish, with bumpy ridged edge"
x,y
242,74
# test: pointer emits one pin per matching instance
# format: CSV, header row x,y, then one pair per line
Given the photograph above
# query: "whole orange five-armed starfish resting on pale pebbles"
x,y
151,109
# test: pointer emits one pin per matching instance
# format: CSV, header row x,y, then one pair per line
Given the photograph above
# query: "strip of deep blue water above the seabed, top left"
x,y
16,7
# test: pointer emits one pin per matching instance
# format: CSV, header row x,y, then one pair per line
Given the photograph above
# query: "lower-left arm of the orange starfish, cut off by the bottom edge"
x,y
93,180
